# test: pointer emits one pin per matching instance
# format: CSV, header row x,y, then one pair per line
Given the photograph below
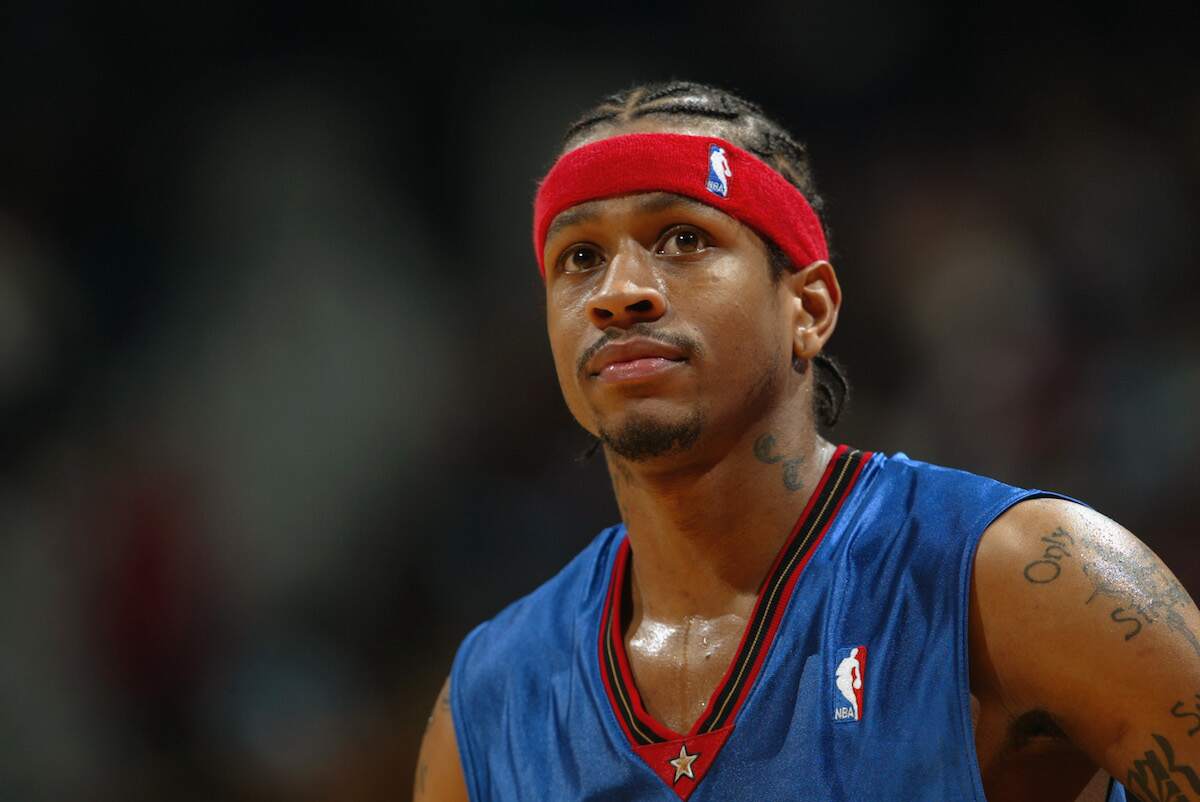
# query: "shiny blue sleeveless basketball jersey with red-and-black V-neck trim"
x,y
850,683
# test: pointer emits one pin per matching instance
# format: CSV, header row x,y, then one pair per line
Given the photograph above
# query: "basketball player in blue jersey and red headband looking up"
x,y
779,619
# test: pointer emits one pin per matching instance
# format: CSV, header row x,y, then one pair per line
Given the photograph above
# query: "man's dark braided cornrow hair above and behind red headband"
x,y
749,128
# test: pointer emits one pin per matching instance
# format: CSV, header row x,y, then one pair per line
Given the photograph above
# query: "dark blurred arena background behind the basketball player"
x,y
279,417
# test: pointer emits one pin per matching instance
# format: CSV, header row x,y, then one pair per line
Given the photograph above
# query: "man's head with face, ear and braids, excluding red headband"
x,y
673,321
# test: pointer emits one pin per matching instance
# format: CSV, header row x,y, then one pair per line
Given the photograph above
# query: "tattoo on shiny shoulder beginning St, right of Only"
x,y
1144,590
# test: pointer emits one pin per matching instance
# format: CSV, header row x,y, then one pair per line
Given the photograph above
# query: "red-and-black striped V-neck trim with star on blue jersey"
x,y
653,740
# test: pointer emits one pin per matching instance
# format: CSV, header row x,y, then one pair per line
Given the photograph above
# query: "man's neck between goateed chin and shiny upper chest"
x,y
704,535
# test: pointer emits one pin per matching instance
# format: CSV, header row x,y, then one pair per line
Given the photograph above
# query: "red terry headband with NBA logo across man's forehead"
x,y
709,170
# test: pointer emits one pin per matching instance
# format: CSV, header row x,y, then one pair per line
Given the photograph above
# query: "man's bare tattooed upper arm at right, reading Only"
x,y
1083,621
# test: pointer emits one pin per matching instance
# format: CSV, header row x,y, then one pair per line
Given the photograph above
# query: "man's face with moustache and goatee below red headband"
x,y
667,326
